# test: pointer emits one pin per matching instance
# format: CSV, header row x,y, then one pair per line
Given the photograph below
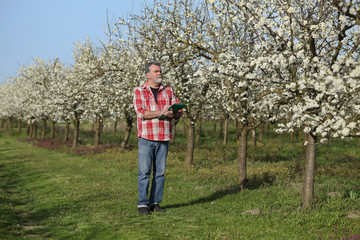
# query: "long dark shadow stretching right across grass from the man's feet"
x,y
253,183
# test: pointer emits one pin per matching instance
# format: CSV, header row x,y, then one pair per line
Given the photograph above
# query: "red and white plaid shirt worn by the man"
x,y
144,100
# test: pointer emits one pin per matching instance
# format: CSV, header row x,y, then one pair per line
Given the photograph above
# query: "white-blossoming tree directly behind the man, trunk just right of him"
x,y
159,34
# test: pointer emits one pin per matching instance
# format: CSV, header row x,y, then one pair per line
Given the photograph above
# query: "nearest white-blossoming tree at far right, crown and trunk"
x,y
313,51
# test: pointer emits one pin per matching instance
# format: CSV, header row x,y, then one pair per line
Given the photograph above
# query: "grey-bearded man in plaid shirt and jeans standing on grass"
x,y
151,100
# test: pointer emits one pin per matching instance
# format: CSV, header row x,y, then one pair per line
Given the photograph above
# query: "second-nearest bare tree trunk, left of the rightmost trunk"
x,y
242,156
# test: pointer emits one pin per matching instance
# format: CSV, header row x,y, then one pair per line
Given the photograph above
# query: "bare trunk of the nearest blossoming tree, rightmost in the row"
x,y
309,175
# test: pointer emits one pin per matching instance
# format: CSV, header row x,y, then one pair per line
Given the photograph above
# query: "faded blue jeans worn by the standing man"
x,y
152,154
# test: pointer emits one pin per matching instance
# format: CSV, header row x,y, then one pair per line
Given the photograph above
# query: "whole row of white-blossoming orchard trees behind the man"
x,y
291,62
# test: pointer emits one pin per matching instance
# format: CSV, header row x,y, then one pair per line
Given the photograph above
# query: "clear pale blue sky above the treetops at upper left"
x,y
48,28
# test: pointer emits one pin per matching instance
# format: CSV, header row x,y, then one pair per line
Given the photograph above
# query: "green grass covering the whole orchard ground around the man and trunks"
x,y
58,195
